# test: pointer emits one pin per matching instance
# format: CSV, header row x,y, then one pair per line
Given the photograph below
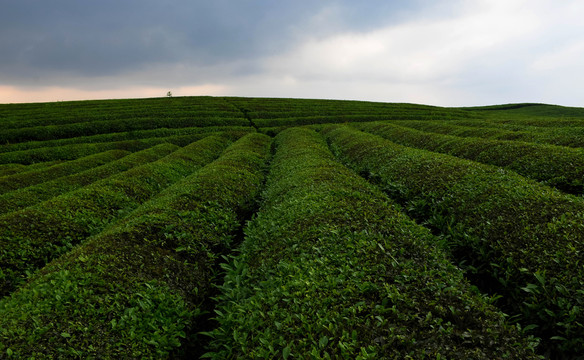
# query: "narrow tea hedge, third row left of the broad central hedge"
x,y
21,198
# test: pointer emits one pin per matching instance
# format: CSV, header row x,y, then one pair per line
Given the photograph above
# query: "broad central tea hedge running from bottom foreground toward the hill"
x,y
331,269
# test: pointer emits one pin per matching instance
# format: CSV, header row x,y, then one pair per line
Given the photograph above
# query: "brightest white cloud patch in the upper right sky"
x,y
415,51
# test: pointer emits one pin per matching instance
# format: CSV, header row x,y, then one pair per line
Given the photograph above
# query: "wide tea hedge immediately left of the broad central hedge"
x,y
141,288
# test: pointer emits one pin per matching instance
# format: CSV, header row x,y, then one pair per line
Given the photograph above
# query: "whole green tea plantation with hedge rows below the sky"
x,y
225,227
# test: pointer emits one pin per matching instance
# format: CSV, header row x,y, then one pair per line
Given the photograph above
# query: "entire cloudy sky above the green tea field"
x,y
441,52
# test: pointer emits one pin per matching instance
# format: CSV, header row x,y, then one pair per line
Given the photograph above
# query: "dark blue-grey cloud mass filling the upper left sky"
x,y
45,39
